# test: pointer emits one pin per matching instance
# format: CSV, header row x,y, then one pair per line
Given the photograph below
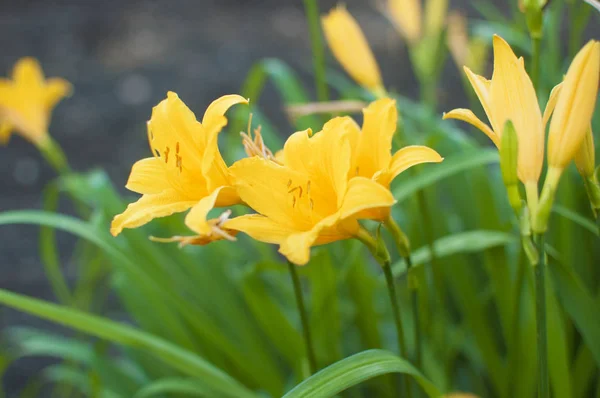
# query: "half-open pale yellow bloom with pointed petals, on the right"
x,y
510,95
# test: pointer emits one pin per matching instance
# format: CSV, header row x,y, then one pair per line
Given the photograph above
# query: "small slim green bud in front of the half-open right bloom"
x,y
509,151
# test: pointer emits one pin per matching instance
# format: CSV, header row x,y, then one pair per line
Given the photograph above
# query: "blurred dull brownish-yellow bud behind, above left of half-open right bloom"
x,y
465,51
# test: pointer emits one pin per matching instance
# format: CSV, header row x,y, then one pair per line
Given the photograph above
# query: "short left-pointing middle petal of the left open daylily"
x,y
148,177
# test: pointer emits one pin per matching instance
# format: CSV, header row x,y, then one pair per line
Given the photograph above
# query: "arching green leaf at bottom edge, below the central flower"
x,y
354,370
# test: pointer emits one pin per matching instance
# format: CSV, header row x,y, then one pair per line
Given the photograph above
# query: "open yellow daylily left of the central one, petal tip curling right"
x,y
186,171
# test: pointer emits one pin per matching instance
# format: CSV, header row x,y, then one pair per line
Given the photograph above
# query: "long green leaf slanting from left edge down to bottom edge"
x,y
184,361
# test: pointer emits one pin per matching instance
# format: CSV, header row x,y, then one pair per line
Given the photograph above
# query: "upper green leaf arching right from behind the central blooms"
x,y
452,165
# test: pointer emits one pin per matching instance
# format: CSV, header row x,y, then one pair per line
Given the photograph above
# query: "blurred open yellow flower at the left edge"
x,y
27,101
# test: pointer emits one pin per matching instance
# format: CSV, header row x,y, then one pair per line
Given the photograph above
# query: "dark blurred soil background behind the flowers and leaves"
x,y
122,57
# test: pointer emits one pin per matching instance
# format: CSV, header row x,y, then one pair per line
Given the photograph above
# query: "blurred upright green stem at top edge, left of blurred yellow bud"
x,y
311,9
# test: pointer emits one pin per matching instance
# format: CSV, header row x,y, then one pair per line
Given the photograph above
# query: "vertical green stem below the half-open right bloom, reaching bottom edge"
x,y
540,309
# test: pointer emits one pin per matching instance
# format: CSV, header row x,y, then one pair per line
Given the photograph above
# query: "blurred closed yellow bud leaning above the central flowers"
x,y
350,48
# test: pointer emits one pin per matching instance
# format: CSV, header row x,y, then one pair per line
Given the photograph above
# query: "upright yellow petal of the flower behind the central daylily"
x,y
375,140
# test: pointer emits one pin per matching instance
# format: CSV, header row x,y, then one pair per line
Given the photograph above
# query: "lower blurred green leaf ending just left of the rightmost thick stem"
x,y
464,242
